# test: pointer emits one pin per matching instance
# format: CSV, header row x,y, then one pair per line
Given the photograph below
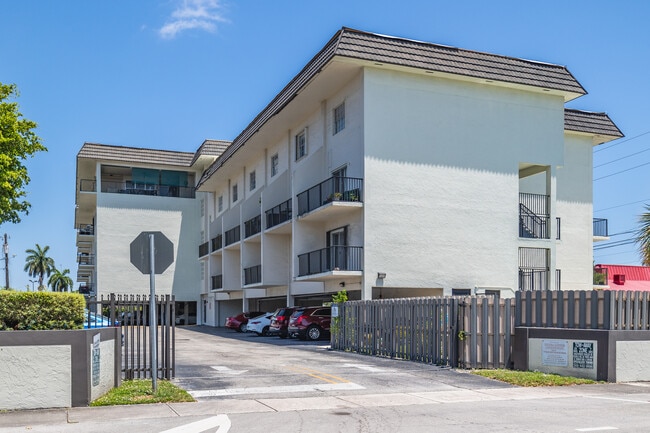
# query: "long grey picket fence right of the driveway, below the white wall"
x,y
477,331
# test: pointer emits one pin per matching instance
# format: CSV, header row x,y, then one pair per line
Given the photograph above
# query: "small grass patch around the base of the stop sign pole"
x,y
140,392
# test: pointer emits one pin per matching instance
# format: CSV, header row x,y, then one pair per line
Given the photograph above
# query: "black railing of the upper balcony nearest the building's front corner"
x,y
332,189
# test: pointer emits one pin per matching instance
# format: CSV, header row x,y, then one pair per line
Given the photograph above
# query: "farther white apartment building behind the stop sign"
x,y
123,191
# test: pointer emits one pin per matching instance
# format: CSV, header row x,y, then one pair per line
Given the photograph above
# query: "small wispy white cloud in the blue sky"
x,y
193,14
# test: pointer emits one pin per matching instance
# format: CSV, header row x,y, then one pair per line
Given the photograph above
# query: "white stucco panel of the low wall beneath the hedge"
x,y
35,377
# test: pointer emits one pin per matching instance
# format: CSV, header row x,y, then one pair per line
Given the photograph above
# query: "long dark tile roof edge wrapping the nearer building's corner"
x,y
373,47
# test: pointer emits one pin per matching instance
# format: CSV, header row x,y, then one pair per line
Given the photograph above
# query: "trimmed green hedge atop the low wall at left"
x,y
40,310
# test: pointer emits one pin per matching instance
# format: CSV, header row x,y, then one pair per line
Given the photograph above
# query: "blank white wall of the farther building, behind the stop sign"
x,y
121,218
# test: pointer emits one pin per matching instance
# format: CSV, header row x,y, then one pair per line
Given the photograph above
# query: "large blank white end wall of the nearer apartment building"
x,y
441,178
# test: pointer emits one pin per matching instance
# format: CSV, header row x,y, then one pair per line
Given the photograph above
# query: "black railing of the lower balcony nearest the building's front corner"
x,y
336,258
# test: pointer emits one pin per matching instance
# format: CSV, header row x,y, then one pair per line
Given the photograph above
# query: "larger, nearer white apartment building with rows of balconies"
x,y
396,168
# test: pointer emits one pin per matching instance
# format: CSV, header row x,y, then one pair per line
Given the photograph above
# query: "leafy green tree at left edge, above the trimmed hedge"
x,y
17,142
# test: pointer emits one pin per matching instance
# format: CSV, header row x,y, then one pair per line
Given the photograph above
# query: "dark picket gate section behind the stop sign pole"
x,y
132,313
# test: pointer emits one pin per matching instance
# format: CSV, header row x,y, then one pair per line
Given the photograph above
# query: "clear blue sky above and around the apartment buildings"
x,y
169,73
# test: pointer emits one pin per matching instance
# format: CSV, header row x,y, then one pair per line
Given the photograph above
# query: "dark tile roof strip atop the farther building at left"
x,y
135,154
